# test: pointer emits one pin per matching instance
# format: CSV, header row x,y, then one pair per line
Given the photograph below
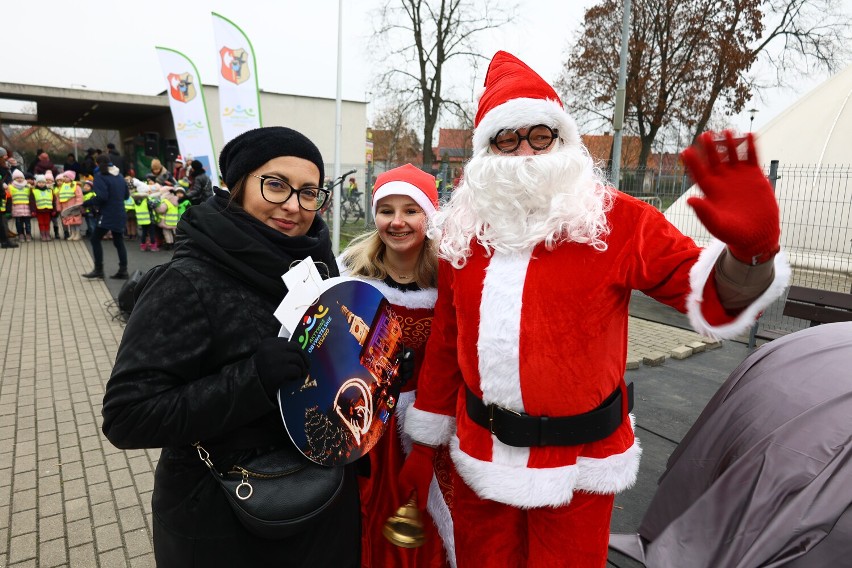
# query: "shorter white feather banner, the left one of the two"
x,y
189,111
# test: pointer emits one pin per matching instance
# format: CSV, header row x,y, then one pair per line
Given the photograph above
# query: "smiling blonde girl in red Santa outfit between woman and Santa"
x,y
399,260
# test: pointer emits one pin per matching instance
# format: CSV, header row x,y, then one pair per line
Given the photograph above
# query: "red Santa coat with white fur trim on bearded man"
x,y
545,332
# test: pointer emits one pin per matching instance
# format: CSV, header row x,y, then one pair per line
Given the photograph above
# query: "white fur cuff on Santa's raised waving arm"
x,y
698,276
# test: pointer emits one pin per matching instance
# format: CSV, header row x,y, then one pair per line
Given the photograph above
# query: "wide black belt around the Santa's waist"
x,y
523,431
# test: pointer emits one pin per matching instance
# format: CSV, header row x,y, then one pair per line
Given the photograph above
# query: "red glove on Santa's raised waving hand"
x,y
738,207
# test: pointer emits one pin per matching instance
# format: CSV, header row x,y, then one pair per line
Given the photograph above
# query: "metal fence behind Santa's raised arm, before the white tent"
x,y
816,221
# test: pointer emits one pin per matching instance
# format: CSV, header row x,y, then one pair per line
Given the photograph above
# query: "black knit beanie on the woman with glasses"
x,y
252,149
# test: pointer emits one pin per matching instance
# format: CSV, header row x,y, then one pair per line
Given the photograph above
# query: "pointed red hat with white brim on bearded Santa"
x,y
515,96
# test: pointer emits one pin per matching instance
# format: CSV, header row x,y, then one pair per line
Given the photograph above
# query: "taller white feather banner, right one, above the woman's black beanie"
x,y
239,102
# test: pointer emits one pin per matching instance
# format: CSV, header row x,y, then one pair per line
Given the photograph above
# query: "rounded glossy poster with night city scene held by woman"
x,y
353,340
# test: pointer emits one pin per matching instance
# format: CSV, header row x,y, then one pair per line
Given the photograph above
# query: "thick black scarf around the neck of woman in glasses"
x,y
249,249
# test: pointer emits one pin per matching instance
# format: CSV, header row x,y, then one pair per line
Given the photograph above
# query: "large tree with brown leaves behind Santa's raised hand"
x,y
691,58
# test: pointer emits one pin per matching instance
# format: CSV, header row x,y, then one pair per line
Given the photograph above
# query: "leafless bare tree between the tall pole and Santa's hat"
x,y
420,39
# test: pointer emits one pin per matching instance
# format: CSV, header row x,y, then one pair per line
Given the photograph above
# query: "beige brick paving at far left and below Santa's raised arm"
x,y
67,497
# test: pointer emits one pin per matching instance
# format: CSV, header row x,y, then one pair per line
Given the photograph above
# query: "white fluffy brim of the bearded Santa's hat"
x,y
521,112
